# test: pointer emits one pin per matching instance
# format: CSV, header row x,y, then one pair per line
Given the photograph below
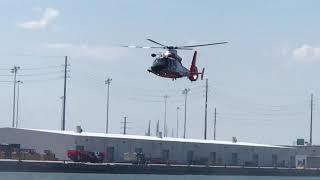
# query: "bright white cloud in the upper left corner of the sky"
x,y
48,15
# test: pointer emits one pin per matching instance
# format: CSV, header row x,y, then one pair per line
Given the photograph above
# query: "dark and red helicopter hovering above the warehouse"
x,y
168,63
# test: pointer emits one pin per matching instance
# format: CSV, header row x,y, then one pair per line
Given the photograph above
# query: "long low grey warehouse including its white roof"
x,y
157,149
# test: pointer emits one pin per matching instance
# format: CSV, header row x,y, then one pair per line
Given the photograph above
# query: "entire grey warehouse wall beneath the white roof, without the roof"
x,y
178,151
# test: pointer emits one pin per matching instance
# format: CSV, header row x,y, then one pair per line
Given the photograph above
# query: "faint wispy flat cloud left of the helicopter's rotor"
x,y
86,51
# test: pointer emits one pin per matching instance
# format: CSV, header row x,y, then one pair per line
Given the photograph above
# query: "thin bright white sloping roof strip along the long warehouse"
x,y
170,139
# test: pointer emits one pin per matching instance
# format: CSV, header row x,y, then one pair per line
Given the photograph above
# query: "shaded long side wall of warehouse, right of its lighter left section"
x,y
178,151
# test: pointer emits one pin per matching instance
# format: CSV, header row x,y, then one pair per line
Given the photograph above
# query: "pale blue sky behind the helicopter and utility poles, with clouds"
x,y
260,82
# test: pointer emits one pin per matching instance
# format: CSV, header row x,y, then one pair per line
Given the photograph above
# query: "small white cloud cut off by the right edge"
x,y
306,53
